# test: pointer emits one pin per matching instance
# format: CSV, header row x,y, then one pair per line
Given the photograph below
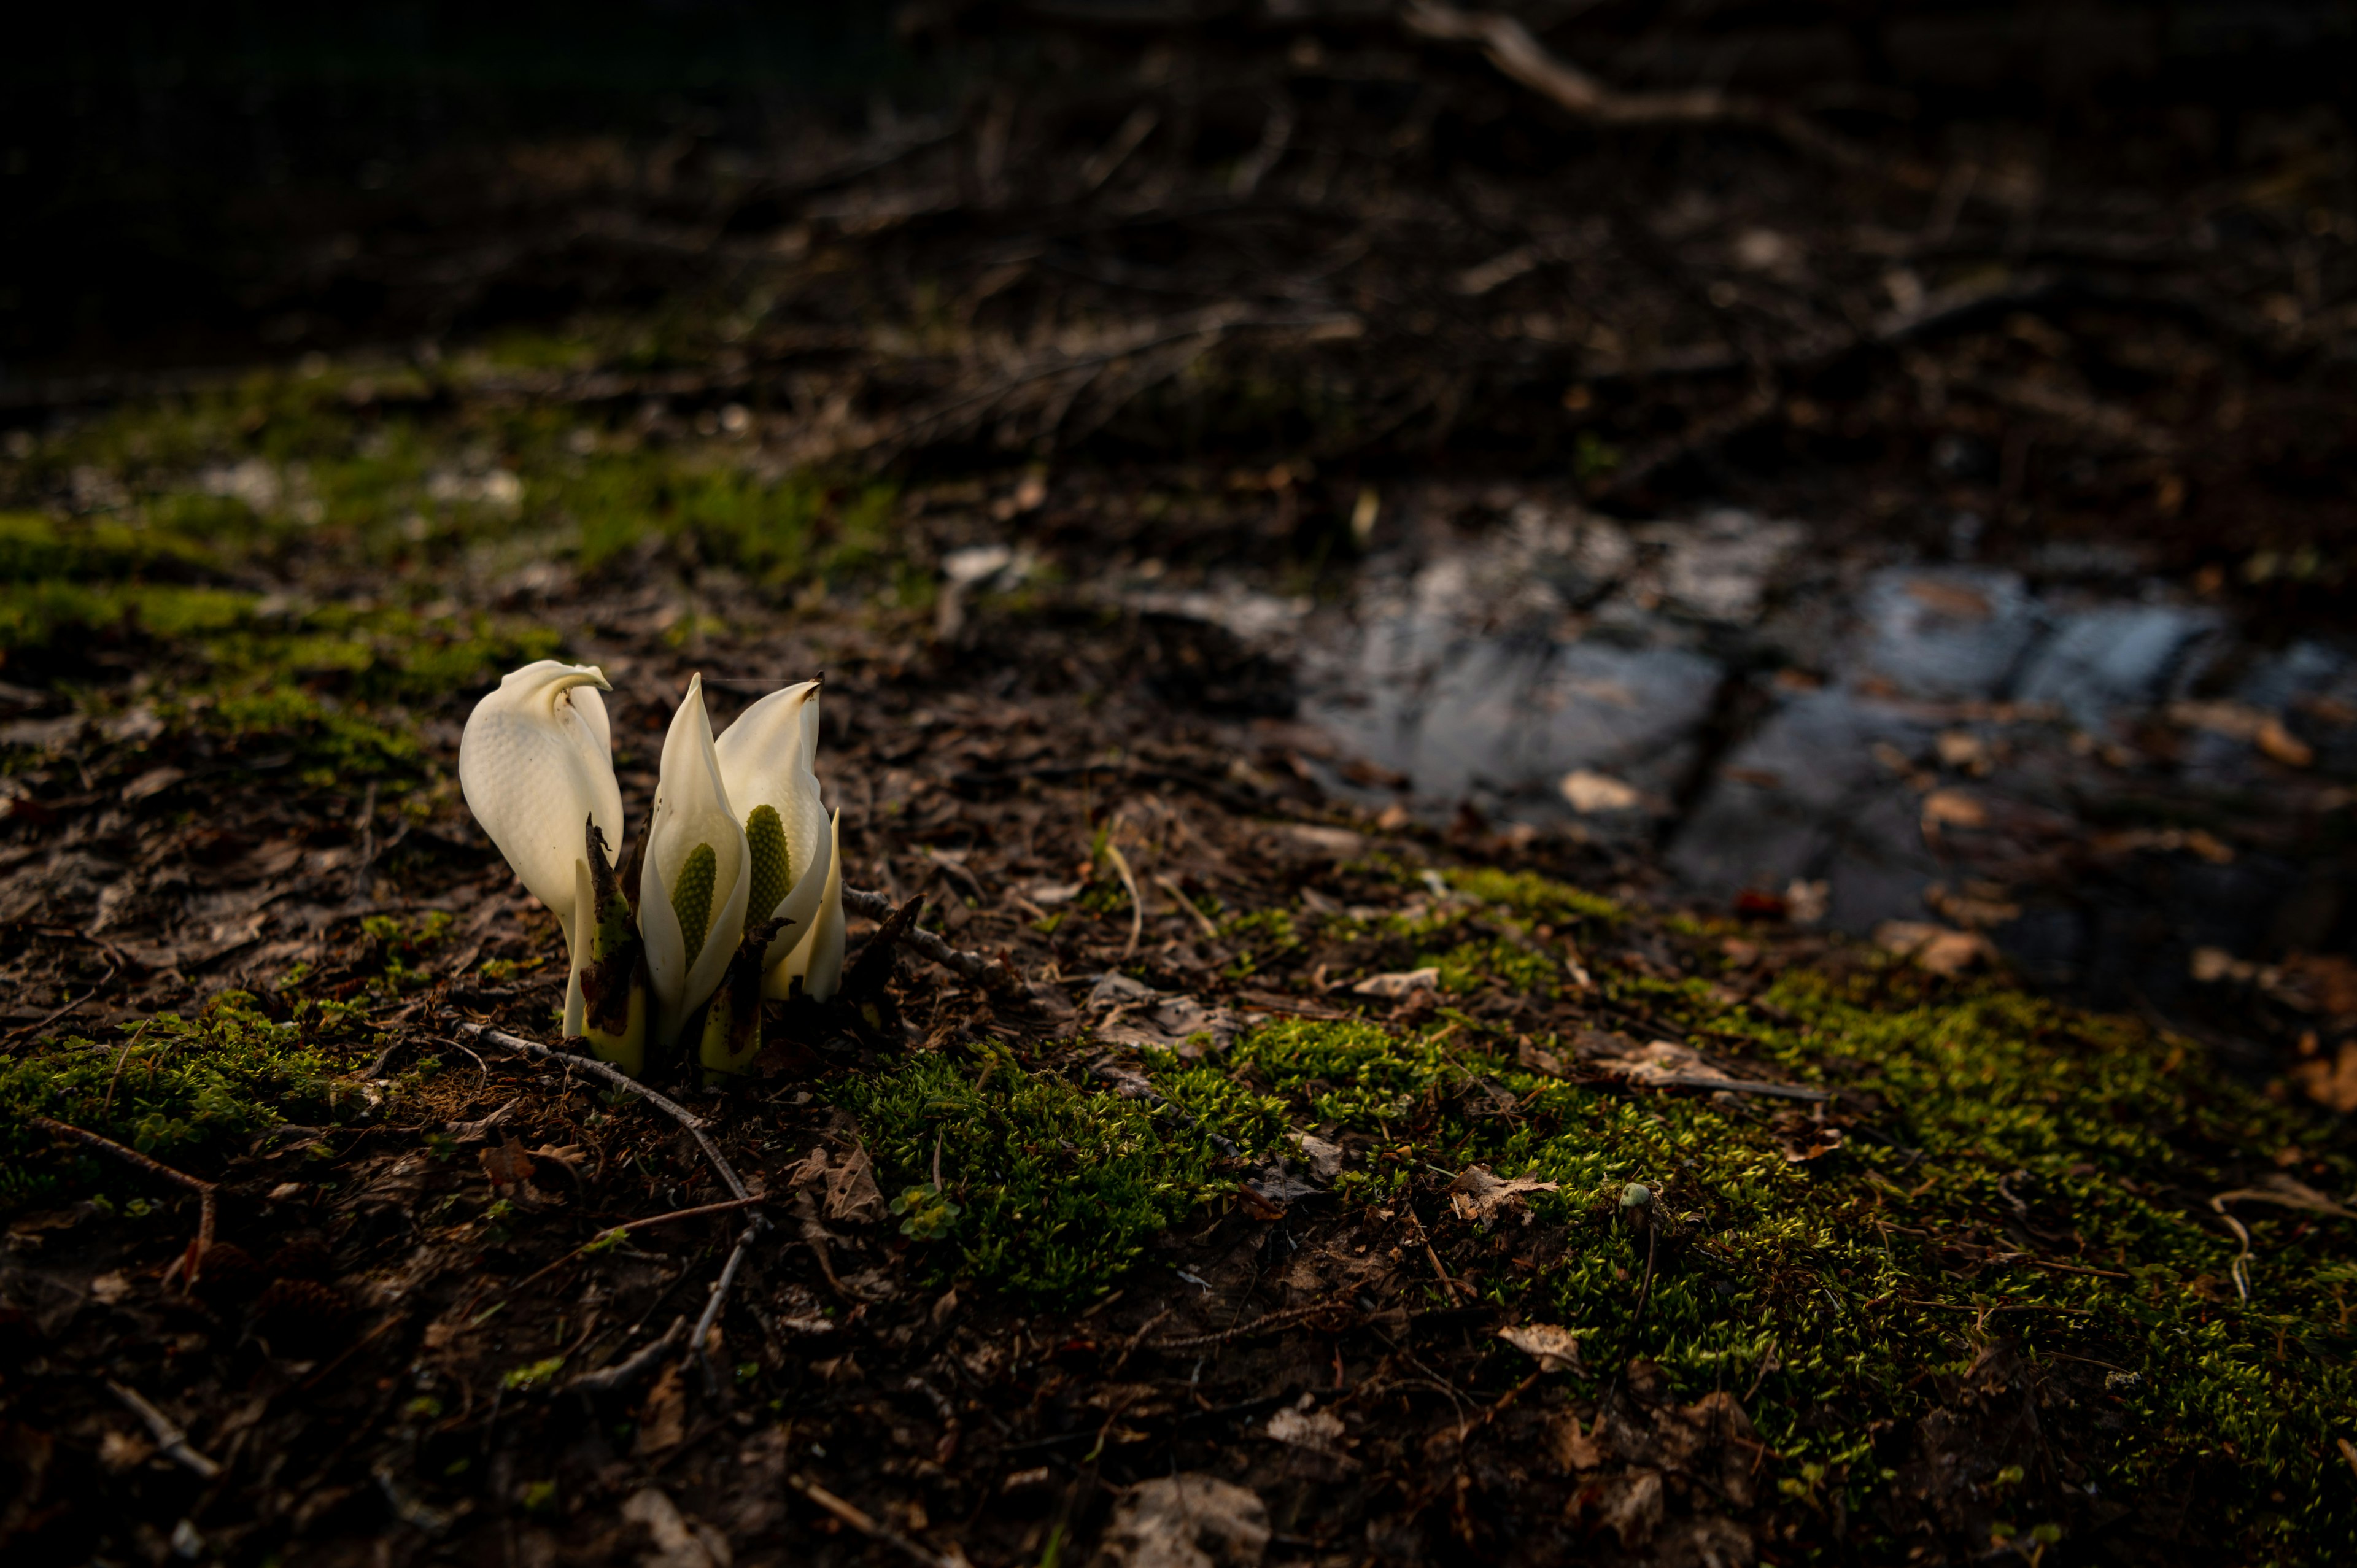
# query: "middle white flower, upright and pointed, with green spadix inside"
x,y
699,874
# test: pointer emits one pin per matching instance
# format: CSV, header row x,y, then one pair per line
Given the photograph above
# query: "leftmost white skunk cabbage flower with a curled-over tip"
x,y
536,767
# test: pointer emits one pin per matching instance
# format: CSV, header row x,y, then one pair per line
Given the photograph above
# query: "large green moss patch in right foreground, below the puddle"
x,y
2023,1173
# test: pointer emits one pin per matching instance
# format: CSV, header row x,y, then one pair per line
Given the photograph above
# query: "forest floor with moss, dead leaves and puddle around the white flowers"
x,y
1861,1081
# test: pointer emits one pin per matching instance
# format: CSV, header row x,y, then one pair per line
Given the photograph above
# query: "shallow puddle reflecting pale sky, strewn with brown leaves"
x,y
2099,772
